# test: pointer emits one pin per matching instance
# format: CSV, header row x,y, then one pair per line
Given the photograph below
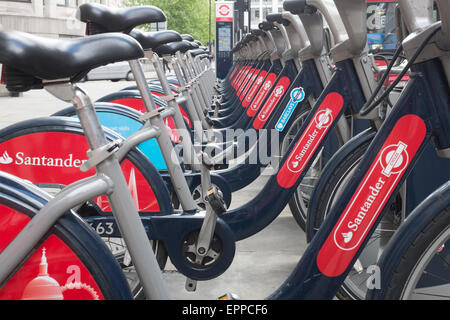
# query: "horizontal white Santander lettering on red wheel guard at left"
x,y
22,159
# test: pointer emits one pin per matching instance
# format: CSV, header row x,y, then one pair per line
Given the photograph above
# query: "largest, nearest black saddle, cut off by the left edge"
x,y
28,59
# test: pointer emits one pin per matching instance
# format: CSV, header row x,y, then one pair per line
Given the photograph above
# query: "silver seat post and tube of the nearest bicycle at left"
x,y
122,204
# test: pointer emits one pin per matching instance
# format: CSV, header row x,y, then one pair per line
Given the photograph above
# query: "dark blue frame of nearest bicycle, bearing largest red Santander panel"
x,y
421,113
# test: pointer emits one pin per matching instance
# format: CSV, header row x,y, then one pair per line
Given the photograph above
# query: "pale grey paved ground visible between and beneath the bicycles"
x,y
262,262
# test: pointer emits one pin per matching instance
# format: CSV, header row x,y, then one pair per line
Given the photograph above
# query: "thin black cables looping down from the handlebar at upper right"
x,y
370,104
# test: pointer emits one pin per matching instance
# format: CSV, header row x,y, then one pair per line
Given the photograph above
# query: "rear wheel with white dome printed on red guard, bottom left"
x,y
70,262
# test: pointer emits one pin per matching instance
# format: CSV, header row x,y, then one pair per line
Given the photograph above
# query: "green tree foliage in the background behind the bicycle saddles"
x,y
184,16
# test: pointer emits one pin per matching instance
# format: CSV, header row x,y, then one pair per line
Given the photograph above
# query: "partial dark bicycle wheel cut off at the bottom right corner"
x,y
416,264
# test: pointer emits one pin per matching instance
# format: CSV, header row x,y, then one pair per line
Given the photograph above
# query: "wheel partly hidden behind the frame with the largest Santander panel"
x,y
329,189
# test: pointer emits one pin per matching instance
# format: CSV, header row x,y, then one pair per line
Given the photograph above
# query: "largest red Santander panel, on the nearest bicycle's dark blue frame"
x,y
371,196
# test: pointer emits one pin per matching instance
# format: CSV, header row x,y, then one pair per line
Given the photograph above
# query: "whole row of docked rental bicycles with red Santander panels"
x,y
96,198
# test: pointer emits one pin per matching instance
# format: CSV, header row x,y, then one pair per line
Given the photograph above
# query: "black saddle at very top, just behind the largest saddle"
x,y
102,19
